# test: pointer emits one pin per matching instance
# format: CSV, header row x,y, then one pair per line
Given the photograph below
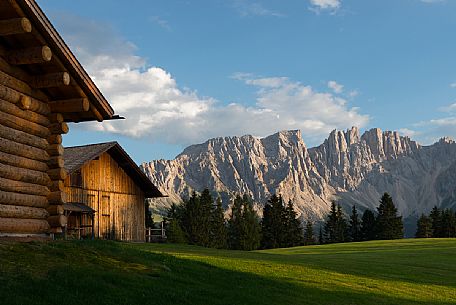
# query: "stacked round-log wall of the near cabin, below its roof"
x,y
24,181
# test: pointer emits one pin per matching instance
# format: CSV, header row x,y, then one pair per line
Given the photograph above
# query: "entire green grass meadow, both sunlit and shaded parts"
x,y
95,272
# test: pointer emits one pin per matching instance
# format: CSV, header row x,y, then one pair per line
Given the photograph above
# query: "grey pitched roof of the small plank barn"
x,y
75,157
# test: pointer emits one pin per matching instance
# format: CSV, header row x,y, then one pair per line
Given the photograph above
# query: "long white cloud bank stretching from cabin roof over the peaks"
x,y
156,108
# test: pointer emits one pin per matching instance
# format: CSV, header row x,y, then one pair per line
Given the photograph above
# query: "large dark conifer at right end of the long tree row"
x,y
388,224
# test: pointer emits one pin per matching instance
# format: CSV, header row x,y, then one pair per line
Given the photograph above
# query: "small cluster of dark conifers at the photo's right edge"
x,y
438,224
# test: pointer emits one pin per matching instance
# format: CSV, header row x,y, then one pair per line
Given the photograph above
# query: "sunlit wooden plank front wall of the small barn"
x,y
117,200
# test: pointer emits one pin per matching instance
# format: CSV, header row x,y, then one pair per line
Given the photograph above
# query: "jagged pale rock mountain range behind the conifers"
x,y
347,167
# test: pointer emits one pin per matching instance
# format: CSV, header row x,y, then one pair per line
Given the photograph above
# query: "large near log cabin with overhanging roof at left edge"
x,y
42,88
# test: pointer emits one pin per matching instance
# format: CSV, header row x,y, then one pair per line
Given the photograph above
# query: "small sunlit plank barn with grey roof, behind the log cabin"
x,y
106,193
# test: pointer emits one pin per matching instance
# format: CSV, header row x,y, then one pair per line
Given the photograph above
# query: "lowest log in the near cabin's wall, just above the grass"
x,y
32,226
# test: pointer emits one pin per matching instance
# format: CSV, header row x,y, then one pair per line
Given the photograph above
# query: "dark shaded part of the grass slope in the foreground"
x,y
115,273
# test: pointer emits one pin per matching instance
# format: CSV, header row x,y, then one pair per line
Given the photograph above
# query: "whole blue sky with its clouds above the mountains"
x,y
185,71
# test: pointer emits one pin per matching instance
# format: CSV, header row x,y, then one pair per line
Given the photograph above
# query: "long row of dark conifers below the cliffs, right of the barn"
x,y
200,220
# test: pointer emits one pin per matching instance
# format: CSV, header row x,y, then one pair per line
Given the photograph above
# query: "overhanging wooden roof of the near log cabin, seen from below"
x,y
40,35
